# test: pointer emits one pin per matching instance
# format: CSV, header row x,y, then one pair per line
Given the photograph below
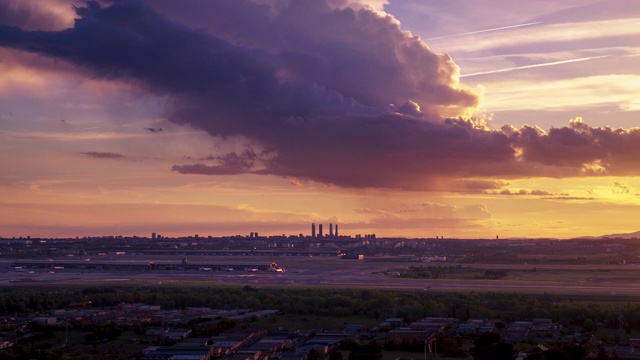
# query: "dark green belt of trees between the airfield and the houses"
x,y
336,302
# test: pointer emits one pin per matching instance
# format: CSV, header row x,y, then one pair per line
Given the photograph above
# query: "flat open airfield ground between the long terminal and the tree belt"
x,y
333,272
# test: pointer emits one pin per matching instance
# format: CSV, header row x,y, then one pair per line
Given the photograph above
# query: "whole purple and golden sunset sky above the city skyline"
x,y
408,118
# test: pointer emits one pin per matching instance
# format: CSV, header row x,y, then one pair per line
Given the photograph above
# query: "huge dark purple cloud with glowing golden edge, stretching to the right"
x,y
334,94
